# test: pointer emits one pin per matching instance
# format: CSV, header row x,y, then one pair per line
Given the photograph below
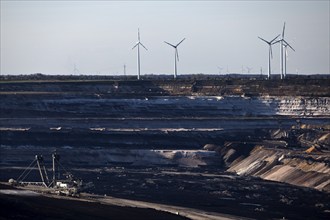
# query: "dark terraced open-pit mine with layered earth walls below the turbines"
x,y
244,148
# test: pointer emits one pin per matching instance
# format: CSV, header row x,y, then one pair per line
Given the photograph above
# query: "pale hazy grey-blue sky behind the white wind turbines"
x,y
97,37
